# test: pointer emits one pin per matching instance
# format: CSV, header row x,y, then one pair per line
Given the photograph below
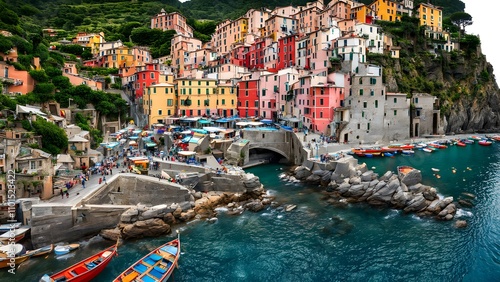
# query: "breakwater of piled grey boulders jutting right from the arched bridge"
x,y
346,181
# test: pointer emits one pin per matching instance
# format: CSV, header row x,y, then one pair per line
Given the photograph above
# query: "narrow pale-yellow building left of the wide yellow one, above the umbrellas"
x,y
160,101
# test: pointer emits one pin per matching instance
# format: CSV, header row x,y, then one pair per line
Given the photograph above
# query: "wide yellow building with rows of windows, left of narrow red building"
x,y
197,97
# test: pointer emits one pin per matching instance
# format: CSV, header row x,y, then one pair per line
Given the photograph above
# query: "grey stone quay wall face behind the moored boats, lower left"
x,y
53,224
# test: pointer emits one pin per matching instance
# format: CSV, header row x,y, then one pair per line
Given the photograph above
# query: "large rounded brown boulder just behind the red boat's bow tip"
x,y
147,228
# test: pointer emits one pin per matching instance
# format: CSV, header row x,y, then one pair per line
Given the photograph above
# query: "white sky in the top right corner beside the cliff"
x,y
483,14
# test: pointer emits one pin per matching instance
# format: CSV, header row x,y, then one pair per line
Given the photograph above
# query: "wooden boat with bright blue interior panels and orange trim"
x,y
155,266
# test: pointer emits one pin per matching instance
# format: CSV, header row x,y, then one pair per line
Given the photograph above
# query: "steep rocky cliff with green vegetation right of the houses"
x,y
462,79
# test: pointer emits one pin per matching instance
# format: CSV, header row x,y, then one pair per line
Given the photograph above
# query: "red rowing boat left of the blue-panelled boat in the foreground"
x,y
88,268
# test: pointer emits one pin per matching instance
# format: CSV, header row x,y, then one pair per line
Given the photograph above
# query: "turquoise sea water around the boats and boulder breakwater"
x,y
320,242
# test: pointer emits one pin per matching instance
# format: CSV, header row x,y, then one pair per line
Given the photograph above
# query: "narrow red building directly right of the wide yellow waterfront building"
x,y
248,98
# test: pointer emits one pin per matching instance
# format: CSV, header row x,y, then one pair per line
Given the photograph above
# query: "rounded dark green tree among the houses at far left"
x,y
54,138
